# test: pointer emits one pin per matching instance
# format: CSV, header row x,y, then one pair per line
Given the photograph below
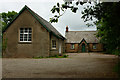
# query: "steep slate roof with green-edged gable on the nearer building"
x,y
42,21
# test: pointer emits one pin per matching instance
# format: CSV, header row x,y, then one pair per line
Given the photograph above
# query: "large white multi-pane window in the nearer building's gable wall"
x,y
25,34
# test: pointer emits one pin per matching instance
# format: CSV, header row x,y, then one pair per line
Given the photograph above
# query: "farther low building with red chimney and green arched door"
x,y
82,41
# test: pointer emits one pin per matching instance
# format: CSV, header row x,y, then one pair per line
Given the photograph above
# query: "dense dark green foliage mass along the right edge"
x,y
108,27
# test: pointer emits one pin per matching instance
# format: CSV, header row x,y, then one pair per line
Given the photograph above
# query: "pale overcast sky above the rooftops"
x,y
43,7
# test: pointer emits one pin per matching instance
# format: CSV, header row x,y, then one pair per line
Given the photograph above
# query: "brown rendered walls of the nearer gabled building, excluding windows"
x,y
41,39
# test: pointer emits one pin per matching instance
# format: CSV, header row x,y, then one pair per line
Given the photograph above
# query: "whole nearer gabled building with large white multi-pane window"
x,y
29,35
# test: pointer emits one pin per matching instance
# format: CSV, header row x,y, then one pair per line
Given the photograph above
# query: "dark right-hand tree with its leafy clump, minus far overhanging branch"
x,y
108,24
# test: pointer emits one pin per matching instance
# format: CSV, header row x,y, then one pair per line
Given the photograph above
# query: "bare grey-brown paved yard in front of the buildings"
x,y
77,65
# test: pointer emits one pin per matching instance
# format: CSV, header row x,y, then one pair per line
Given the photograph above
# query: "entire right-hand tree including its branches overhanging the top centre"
x,y
107,17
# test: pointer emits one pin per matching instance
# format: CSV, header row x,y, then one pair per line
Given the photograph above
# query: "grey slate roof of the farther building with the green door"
x,y
77,36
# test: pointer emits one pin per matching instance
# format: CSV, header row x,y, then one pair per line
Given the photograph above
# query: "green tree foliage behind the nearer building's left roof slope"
x,y
6,18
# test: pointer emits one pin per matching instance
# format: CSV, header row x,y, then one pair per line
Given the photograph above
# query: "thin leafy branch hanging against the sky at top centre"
x,y
61,8
